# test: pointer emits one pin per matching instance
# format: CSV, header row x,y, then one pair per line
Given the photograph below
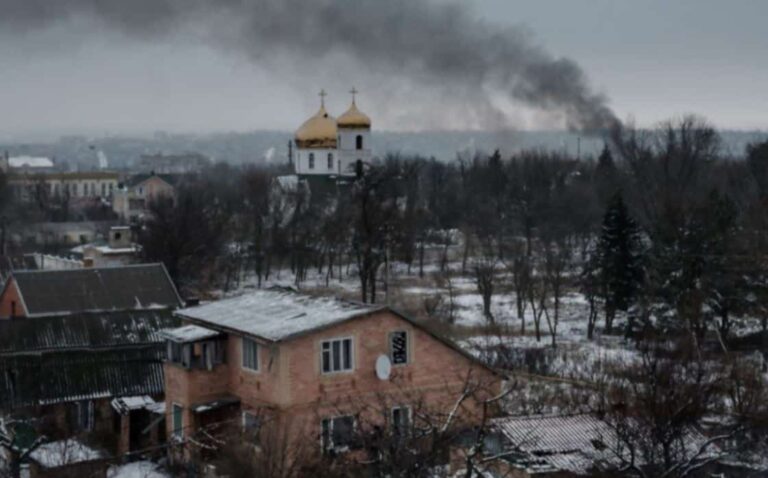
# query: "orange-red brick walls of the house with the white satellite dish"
x,y
290,382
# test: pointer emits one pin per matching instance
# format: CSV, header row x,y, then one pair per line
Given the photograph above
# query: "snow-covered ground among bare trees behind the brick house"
x,y
450,300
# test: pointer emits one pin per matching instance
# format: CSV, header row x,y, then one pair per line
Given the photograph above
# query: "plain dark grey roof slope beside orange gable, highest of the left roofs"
x,y
61,292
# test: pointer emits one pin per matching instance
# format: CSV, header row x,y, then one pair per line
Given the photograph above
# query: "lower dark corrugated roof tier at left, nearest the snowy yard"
x,y
48,378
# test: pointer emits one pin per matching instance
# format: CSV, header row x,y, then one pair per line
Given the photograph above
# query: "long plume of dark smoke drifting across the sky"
x,y
441,44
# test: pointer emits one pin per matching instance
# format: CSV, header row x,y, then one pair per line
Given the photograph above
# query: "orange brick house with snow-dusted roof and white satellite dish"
x,y
309,365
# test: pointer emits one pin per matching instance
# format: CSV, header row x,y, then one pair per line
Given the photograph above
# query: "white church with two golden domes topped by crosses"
x,y
328,146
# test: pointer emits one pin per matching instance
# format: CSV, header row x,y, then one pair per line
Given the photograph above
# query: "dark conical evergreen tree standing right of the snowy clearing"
x,y
619,255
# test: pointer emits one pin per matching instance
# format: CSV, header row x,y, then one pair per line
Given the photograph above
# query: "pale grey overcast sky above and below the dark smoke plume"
x,y
653,59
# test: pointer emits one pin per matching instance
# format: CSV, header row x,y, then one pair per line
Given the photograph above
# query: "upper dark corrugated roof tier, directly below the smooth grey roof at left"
x,y
84,331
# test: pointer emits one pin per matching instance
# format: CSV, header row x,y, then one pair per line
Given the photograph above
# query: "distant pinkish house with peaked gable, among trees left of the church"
x,y
131,201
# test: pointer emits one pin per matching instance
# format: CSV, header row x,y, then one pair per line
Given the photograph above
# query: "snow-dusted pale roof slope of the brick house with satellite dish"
x,y
276,314
